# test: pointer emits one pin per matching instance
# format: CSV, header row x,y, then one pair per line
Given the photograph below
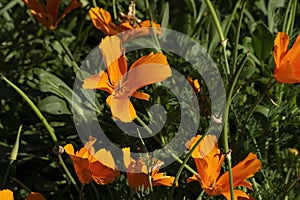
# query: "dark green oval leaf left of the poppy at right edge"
x,y
262,41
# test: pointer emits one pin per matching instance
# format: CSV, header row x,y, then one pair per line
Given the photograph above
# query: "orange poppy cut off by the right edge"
x,y
287,62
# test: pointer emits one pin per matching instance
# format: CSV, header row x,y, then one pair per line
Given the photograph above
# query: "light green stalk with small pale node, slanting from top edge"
x,y
220,32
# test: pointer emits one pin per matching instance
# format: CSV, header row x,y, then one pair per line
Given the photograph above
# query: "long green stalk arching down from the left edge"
x,y
45,123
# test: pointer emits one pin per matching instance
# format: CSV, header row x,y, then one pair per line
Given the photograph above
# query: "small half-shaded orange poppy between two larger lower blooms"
x,y
137,172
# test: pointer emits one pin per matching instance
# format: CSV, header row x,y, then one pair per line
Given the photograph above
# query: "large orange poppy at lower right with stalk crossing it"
x,y
209,167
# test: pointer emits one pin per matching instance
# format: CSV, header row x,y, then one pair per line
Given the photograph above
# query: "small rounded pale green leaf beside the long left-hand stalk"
x,y
54,105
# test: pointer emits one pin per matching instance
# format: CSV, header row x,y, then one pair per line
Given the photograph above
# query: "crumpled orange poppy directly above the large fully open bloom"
x,y
102,20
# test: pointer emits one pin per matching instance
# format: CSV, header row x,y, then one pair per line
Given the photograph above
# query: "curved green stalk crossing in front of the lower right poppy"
x,y
226,127
